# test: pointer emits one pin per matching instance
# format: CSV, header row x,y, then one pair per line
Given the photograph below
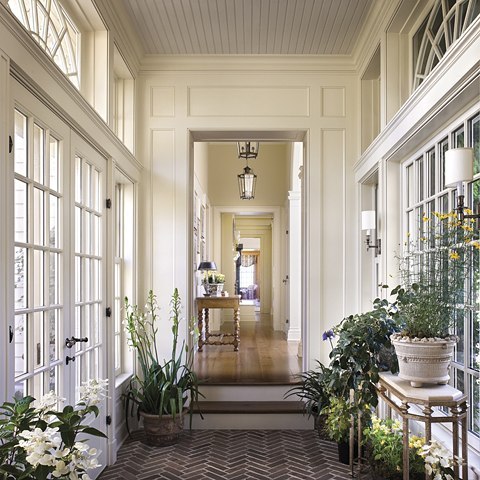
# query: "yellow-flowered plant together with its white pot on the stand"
x,y
433,272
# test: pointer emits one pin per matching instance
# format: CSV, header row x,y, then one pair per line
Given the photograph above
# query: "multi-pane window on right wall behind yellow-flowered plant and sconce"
x,y
425,192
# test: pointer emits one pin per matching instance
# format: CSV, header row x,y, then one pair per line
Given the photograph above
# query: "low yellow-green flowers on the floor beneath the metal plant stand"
x,y
384,441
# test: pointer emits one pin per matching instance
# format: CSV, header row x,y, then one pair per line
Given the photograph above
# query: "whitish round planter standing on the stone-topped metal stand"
x,y
424,360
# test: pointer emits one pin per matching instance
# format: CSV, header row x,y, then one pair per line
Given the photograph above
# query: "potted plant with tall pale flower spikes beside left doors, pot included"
x,y
162,389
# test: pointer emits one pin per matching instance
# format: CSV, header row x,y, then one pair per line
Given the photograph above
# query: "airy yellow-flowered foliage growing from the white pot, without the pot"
x,y
433,270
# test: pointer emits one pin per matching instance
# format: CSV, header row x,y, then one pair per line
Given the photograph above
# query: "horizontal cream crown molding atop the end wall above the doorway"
x,y
248,63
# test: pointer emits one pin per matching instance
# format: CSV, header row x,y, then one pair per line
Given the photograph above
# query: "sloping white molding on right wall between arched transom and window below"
x,y
456,73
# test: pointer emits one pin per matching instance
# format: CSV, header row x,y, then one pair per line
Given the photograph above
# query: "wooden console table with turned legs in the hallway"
x,y
207,338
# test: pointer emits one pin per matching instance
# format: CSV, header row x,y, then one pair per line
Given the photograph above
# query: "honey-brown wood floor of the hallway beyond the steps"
x,y
264,356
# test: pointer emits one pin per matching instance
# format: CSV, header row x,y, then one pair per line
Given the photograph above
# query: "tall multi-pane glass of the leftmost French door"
x,y
38,258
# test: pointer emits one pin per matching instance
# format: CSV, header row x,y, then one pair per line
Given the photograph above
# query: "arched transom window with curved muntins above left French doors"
x,y
53,29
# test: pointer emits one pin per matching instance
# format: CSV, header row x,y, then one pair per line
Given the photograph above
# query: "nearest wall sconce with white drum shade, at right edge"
x,y
459,169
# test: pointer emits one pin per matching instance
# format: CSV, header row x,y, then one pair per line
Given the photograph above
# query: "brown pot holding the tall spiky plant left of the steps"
x,y
162,431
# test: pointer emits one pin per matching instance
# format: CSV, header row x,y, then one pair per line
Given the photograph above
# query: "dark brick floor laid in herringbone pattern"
x,y
231,455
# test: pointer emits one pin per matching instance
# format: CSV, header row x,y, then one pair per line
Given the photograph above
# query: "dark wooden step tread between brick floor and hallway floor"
x,y
251,407
